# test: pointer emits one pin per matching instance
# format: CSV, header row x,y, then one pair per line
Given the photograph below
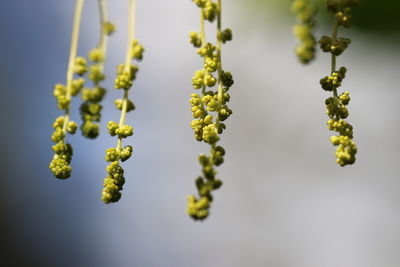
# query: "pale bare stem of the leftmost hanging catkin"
x,y
72,56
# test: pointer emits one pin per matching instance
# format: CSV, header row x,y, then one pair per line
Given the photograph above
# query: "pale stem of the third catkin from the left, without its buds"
x,y
127,67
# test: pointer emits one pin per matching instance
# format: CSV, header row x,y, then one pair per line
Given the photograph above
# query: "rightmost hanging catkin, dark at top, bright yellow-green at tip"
x,y
336,105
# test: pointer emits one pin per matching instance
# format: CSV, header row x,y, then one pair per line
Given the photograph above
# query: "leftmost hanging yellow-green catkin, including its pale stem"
x,y
60,164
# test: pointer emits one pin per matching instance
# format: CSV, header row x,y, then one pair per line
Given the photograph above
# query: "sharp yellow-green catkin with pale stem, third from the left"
x,y
126,74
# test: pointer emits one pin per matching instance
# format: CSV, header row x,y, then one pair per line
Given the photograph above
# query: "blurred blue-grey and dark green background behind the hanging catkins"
x,y
284,202
